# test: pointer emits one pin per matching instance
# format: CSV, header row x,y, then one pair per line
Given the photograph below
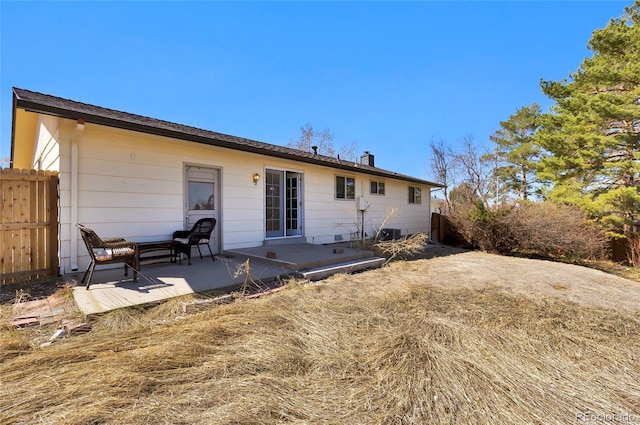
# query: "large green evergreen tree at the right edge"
x,y
592,135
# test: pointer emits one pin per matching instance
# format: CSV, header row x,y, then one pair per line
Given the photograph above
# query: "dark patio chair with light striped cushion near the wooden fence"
x,y
108,251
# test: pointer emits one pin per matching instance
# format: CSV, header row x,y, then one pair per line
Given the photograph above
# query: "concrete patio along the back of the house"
x,y
111,290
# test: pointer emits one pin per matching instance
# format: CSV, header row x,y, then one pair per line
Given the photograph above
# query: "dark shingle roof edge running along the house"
x,y
57,106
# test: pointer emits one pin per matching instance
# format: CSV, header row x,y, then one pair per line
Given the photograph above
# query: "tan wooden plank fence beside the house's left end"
x,y
28,225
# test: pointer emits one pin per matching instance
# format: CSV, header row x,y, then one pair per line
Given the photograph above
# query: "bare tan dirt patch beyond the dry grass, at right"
x,y
446,267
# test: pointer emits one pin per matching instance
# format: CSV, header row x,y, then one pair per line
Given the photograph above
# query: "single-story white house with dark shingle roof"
x,y
142,178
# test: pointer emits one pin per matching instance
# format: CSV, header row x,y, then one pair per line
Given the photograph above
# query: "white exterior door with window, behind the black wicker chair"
x,y
203,199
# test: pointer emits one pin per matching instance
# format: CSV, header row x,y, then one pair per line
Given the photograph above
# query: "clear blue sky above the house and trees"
x,y
390,76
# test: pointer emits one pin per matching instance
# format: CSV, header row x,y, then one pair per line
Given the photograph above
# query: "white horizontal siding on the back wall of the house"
x,y
132,185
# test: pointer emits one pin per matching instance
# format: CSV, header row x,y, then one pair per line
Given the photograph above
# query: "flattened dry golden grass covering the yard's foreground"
x,y
383,347
